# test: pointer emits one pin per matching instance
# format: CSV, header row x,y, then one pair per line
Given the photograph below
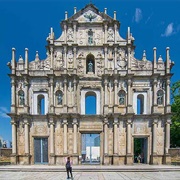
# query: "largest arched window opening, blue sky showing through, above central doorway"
x,y
90,103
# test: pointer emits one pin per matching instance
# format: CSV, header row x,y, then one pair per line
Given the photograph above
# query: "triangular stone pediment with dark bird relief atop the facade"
x,y
90,14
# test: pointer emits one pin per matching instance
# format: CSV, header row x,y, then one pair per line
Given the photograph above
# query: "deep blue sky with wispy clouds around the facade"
x,y
26,24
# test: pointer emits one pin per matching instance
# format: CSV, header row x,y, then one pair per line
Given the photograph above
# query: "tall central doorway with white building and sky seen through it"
x,y
90,149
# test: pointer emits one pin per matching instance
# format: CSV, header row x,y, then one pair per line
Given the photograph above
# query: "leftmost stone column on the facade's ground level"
x,y
14,142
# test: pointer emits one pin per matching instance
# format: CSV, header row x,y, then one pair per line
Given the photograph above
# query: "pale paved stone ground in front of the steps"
x,y
91,175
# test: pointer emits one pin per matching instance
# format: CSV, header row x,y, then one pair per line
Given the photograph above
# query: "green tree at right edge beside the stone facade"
x,y
175,126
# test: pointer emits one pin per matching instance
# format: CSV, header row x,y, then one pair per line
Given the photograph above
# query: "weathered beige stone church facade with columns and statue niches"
x,y
90,58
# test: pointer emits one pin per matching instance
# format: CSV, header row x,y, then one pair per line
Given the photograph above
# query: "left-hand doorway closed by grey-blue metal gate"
x,y
40,150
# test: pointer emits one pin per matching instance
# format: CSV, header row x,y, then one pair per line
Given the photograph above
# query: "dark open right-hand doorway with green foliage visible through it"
x,y
140,150
